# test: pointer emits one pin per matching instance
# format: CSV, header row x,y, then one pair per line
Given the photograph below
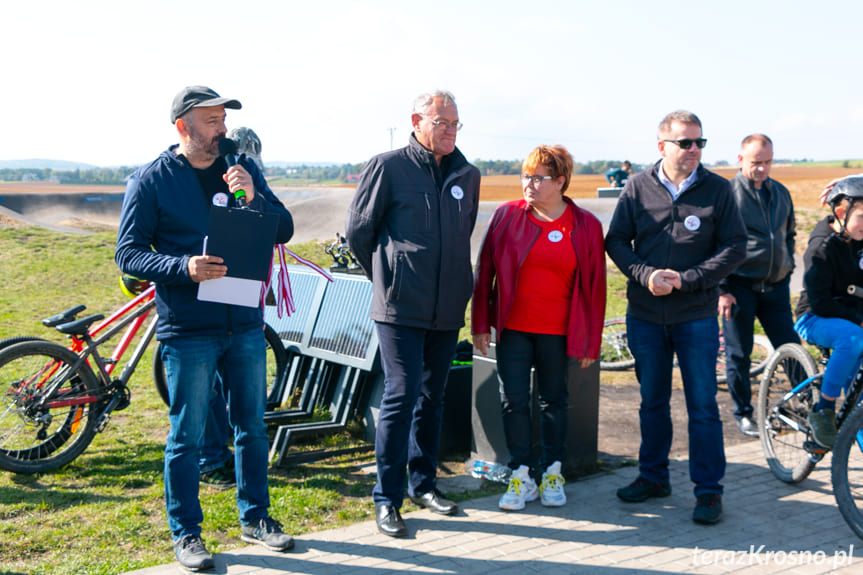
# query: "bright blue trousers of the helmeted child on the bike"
x,y
845,338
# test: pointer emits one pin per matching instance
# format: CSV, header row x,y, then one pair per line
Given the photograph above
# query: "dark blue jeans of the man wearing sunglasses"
x,y
696,343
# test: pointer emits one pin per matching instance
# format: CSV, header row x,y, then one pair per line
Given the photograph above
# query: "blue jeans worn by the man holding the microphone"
x,y
191,365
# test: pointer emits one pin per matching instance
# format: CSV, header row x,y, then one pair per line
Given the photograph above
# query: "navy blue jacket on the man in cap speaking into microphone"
x,y
164,220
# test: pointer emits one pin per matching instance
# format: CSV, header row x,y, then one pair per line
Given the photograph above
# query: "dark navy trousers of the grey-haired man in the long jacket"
x,y
416,364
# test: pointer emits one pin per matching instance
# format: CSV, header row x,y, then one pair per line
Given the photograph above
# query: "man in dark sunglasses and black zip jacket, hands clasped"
x,y
676,233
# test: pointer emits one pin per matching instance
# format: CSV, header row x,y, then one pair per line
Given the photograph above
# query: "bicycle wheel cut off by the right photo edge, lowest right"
x,y
847,470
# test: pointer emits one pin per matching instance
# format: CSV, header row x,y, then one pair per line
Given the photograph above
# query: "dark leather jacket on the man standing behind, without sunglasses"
x,y
770,231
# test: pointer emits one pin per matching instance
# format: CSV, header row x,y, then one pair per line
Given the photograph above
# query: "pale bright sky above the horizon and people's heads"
x,y
324,81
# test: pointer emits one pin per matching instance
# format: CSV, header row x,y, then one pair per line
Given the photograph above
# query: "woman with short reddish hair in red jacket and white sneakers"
x,y
540,282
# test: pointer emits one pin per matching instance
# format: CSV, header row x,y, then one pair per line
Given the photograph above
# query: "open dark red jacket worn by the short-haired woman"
x,y
508,239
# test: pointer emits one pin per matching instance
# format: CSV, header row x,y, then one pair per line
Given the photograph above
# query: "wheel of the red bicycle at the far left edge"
x,y
40,432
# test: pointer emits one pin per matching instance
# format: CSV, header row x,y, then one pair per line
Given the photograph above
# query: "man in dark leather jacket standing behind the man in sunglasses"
x,y
760,287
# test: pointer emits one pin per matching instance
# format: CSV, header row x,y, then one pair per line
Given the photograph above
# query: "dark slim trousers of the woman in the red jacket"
x,y
517,352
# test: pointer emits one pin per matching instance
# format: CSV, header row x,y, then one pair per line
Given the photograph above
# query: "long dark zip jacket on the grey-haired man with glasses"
x,y
409,226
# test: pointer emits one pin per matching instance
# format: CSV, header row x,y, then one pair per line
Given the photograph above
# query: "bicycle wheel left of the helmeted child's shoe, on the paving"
x,y
782,421
